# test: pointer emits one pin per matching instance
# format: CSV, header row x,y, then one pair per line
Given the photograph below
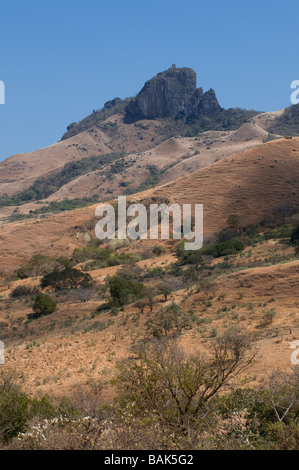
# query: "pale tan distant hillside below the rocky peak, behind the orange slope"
x,y
86,174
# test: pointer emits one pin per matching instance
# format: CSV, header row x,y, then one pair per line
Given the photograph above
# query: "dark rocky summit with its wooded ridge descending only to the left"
x,y
170,94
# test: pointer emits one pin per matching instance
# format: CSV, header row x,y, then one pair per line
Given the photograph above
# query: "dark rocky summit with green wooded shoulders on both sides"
x,y
170,96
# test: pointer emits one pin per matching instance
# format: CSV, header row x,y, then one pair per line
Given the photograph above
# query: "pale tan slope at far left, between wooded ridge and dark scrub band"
x,y
20,171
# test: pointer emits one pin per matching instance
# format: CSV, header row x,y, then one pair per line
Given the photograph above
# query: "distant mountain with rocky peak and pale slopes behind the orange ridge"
x,y
170,128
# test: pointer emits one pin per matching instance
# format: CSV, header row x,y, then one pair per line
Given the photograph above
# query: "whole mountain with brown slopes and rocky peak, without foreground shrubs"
x,y
172,143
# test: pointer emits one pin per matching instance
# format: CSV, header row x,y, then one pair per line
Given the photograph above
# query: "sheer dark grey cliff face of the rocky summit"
x,y
169,94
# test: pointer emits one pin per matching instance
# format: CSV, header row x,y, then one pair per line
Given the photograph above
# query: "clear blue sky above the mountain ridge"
x,y
60,59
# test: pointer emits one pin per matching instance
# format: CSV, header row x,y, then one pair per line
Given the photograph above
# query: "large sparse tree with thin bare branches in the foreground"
x,y
166,384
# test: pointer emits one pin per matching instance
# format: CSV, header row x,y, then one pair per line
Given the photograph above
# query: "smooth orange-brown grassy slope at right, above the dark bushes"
x,y
250,183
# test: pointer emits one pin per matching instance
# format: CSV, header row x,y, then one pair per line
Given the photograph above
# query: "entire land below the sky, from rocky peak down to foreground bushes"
x,y
80,317
